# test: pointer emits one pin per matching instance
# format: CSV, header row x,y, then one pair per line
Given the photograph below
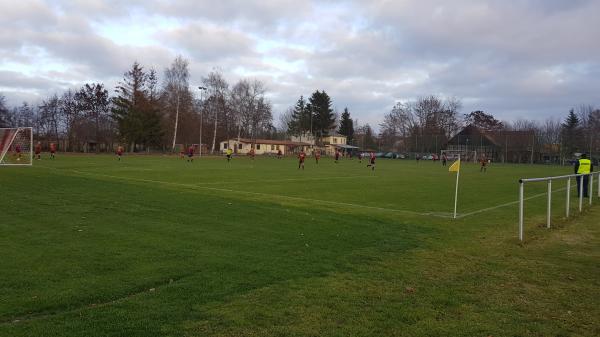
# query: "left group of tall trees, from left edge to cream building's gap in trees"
x,y
144,113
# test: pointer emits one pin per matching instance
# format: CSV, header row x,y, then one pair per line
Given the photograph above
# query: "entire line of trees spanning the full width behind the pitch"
x,y
146,113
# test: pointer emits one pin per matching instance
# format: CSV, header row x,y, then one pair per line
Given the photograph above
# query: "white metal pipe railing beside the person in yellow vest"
x,y
549,180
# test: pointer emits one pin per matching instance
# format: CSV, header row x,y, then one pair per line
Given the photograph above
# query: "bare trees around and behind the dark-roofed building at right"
x,y
426,124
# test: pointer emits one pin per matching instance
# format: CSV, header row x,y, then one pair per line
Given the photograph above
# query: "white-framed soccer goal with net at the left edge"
x,y
16,146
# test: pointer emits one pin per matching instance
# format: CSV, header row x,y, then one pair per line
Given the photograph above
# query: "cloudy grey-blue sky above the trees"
x,y
515,59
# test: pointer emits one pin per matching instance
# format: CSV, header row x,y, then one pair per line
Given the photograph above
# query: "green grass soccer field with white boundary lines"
x,y
156,246
